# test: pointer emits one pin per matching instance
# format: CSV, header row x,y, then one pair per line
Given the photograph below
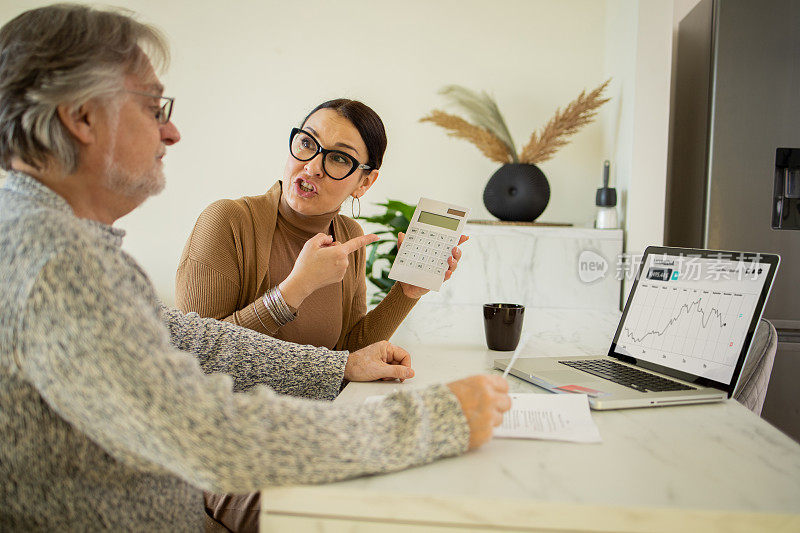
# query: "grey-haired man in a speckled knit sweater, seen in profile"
x,y
116,411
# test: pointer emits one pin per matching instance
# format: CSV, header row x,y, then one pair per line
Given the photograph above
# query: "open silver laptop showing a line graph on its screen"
x,y
683,337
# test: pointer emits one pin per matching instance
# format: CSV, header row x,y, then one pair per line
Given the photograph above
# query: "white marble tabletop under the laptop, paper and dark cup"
x,y
706,467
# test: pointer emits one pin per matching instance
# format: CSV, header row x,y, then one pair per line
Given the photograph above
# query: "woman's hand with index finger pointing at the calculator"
x,y
321,262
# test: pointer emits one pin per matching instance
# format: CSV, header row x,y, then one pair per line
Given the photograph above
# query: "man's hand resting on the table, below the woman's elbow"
x,y
381,360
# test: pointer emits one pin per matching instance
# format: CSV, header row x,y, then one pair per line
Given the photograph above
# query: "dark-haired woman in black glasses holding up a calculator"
x,y
287,264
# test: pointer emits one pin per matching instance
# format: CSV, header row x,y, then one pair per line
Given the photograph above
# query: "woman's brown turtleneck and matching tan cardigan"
x,y
239,249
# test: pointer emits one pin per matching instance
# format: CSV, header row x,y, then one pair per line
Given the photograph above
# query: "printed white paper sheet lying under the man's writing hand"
x,y
549,416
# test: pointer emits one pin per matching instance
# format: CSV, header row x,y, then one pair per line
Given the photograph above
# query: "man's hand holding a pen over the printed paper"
x,y
483,400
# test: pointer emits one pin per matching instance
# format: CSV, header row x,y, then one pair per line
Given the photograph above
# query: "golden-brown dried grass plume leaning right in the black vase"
x,y
553,136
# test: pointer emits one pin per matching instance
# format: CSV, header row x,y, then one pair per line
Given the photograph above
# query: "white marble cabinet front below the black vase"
x,y
537,266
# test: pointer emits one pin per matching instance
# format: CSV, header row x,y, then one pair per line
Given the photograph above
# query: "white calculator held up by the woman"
x,y
434,229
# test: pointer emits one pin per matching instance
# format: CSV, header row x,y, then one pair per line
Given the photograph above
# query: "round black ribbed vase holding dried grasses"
x,y
517,192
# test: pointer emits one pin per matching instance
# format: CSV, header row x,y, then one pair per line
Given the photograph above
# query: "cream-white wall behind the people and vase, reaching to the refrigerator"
x,y
245,72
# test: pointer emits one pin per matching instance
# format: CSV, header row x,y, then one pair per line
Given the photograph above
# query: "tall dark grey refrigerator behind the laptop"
x,y
734,169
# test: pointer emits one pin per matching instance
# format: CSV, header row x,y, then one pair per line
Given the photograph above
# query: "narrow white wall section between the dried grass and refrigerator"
x,y
639,51
